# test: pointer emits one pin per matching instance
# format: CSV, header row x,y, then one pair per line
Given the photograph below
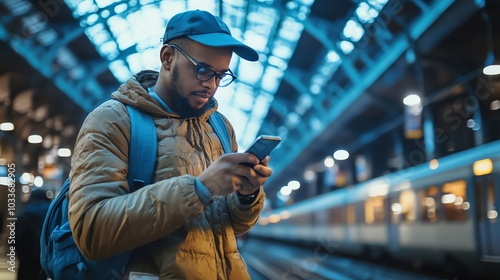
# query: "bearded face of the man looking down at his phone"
x,y
187,95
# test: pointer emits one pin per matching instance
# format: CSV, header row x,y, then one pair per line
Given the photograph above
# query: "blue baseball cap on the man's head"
x,y
206,29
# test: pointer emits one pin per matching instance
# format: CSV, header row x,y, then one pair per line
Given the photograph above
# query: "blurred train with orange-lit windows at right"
x,y
442,214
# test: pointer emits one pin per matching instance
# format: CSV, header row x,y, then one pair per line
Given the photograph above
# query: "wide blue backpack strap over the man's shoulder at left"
x,y
142,150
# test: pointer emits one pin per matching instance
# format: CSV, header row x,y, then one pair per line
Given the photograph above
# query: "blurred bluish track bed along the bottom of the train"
x,y
267,260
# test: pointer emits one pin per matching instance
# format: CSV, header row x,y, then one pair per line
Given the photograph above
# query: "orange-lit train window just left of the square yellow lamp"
x,y
454,200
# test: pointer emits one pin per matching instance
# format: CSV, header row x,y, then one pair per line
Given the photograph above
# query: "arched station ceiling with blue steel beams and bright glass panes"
x,y
331,74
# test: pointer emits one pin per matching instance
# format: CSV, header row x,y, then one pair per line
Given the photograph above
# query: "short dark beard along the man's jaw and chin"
x,y
181,103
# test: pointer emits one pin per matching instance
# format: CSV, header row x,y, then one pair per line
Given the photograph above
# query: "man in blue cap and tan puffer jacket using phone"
x,y
183,225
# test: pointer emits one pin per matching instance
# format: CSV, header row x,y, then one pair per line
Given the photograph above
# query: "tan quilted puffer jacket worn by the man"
x,y
173,234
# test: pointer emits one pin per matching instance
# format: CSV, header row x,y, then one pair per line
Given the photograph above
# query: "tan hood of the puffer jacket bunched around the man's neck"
x,y
134,92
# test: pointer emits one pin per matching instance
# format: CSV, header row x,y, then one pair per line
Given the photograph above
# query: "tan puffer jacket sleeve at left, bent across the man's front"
x,y
105,218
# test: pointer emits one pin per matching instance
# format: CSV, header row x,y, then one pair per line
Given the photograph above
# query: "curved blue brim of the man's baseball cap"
x,y
226,40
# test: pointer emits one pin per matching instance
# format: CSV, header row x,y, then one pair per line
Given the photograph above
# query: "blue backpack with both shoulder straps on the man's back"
x,y
60,257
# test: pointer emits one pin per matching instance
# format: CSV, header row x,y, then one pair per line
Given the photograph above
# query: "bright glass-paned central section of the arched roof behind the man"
x,y
128,34
